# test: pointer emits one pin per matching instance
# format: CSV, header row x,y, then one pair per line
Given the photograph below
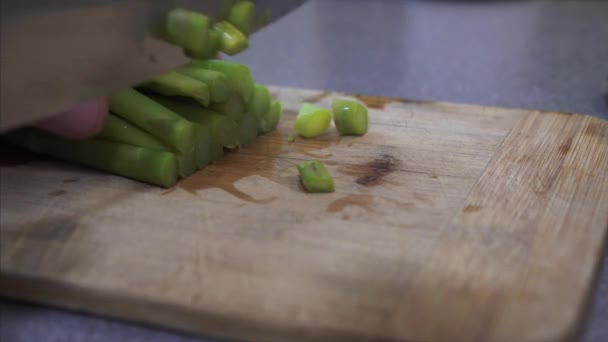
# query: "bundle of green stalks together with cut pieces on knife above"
x,y
169,127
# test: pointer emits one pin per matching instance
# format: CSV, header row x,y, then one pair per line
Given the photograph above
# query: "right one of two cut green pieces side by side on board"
x,y
350,117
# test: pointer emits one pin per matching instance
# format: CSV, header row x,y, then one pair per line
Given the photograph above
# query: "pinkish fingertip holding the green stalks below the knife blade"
x,y
83,121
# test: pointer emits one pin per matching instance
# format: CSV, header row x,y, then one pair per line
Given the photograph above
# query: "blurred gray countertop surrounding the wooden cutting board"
x,y
550,55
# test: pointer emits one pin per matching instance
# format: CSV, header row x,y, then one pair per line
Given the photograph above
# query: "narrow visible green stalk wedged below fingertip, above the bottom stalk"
x,y
117,129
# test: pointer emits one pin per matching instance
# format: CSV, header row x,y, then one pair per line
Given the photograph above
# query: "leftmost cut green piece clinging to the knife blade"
x,y
187,29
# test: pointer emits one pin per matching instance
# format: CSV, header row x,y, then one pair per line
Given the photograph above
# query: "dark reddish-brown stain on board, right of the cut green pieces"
x,y
373,172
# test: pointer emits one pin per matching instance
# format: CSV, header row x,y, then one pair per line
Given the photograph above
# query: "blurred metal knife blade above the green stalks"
x,y
55,54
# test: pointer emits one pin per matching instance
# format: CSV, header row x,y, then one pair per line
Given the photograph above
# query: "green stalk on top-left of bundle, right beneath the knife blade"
x,y
174,83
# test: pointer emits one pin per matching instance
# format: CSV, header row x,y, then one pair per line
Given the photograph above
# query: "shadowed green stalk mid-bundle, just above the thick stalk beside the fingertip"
x,y
224,131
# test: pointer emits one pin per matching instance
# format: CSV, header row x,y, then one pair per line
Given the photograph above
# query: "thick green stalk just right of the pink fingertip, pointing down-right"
x,y
153,118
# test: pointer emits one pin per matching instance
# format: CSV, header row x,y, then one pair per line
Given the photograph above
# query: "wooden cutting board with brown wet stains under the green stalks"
x,y
449,223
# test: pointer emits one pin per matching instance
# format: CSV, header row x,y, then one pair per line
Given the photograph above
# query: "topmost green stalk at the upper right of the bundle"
x,y
239,75
